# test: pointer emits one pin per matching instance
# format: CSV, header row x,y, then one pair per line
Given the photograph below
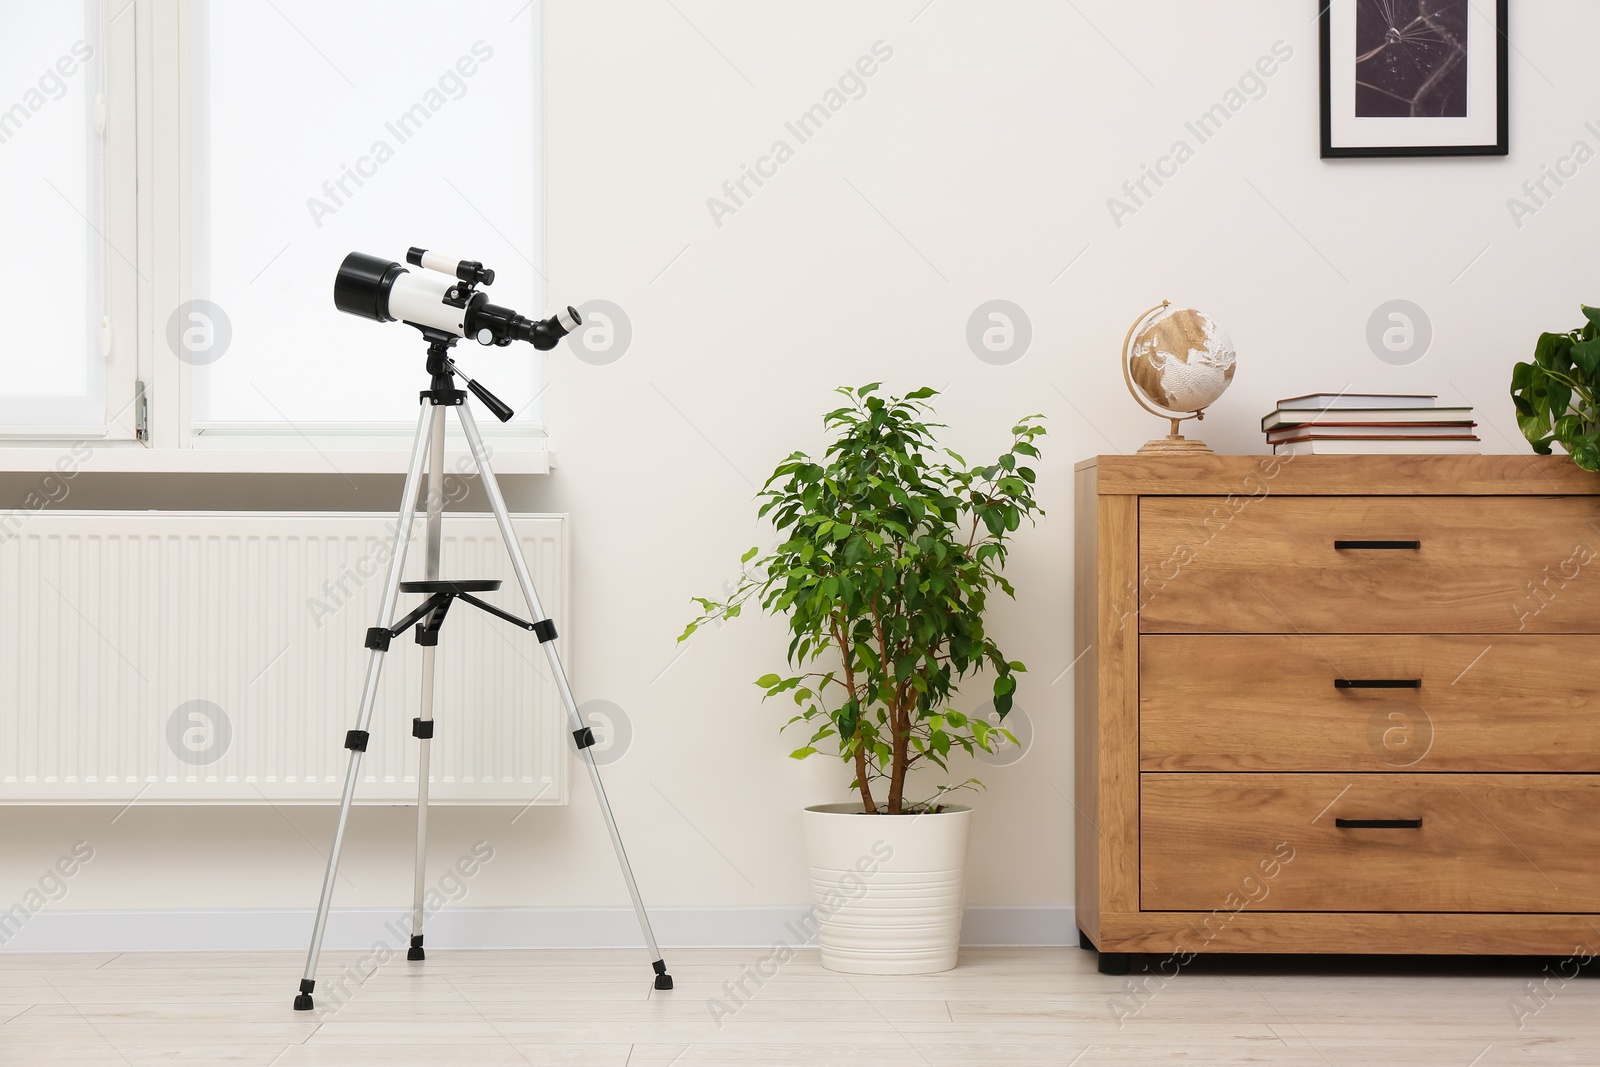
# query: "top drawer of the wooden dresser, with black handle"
x,y
1369,565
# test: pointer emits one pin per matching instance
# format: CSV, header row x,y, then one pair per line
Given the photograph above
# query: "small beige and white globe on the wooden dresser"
x,y
1175,362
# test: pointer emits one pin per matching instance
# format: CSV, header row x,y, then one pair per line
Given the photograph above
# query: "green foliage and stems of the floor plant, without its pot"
x,y
892,548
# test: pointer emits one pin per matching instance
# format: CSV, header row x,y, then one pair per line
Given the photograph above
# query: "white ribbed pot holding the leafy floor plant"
x,y
889,890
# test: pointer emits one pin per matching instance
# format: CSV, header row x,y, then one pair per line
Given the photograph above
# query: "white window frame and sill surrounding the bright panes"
x,y
150,228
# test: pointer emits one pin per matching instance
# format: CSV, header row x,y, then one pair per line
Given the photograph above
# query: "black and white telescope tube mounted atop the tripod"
x,y
442,297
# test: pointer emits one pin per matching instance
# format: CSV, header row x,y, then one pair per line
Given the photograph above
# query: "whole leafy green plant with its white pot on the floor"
x,y
892,546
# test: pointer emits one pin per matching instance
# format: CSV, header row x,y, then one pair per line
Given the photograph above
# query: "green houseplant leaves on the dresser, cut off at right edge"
x,y
1558,394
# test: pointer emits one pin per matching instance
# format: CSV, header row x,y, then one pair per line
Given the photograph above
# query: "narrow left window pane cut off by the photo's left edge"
x,y
63,362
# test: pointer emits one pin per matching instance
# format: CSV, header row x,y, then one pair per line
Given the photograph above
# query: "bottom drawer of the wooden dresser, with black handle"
x,y
1276,844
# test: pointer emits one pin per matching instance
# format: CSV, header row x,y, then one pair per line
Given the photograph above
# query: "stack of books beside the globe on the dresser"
x,y
1369,425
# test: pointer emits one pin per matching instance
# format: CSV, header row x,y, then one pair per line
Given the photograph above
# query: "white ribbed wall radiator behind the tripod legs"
x,y
218,658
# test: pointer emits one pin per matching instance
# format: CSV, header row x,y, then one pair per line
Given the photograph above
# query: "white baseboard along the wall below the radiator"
x,y
263,930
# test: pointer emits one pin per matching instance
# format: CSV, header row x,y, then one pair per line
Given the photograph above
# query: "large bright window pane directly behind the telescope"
x,y
326,129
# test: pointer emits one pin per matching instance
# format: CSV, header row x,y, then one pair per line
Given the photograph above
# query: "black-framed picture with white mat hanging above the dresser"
x,y
1414,78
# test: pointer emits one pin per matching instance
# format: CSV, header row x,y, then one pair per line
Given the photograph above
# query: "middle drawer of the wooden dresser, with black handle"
x,y
1292,703
